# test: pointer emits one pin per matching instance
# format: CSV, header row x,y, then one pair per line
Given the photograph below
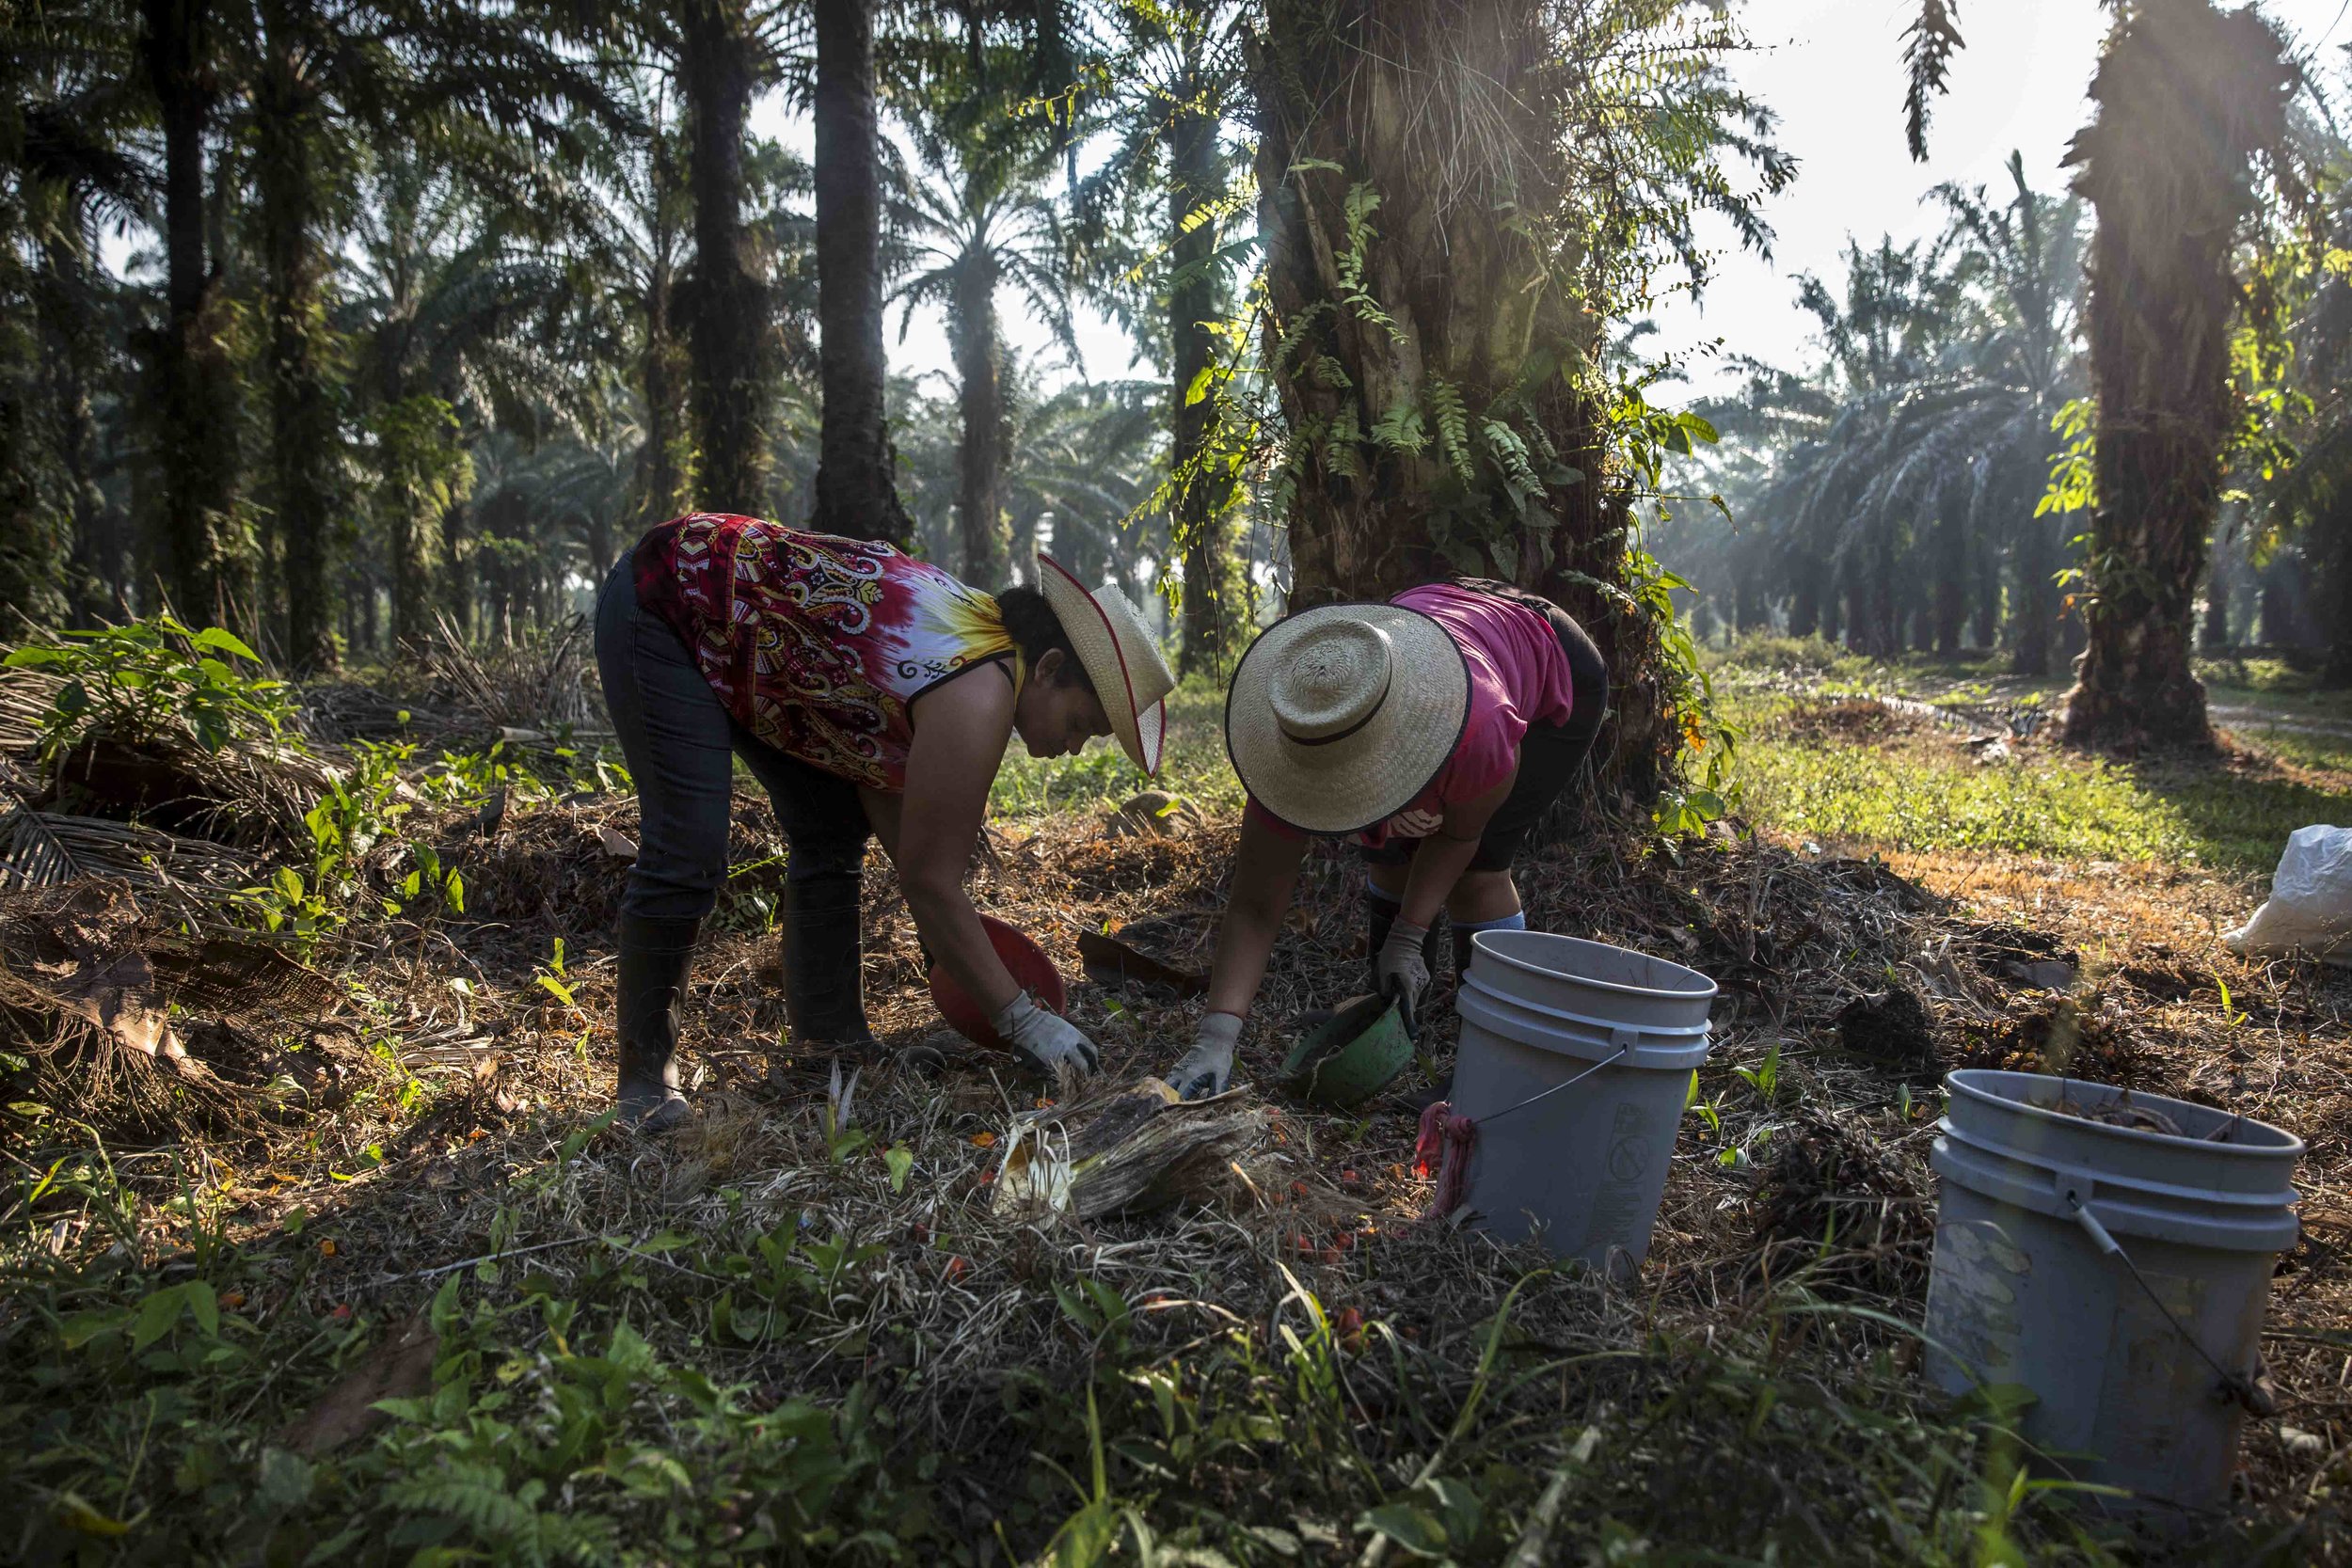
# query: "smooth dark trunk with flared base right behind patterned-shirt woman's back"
x,y
857,485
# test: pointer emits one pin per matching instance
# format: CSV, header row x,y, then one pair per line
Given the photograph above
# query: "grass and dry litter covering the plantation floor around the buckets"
x,y
803,1336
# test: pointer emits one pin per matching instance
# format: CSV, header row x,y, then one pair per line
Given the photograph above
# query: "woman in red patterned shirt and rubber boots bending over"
x,y
871,695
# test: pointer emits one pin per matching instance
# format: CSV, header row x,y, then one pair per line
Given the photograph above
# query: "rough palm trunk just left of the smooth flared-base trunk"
x,y
728,302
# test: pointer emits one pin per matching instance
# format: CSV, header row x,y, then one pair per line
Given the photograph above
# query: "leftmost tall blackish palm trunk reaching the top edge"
x,y
194,384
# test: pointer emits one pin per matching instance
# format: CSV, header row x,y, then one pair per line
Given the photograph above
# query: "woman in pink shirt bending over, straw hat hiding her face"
x,y
1434,732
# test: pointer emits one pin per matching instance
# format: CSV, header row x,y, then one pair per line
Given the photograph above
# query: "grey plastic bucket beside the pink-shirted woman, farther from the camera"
x,y
1584,1167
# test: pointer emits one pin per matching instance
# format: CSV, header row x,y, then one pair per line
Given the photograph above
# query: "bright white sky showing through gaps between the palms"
x,y
1833,72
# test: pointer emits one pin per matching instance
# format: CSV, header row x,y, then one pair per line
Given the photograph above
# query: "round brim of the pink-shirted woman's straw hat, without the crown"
x,y
1363,779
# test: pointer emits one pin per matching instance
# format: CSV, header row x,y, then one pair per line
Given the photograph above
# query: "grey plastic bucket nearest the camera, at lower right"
x,y
2026,1292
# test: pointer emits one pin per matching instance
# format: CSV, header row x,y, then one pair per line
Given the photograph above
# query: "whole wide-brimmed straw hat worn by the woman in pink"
x,y
1342,716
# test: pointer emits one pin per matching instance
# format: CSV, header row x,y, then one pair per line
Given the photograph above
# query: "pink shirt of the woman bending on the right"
x,y
1518,678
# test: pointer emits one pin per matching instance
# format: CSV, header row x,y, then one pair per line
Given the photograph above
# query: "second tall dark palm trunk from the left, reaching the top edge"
x,y
305,420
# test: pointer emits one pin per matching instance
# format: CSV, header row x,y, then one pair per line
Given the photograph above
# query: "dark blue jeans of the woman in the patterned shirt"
x,y
681,746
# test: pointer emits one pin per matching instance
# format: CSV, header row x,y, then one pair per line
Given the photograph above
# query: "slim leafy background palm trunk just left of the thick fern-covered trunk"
x,y
1205,492
